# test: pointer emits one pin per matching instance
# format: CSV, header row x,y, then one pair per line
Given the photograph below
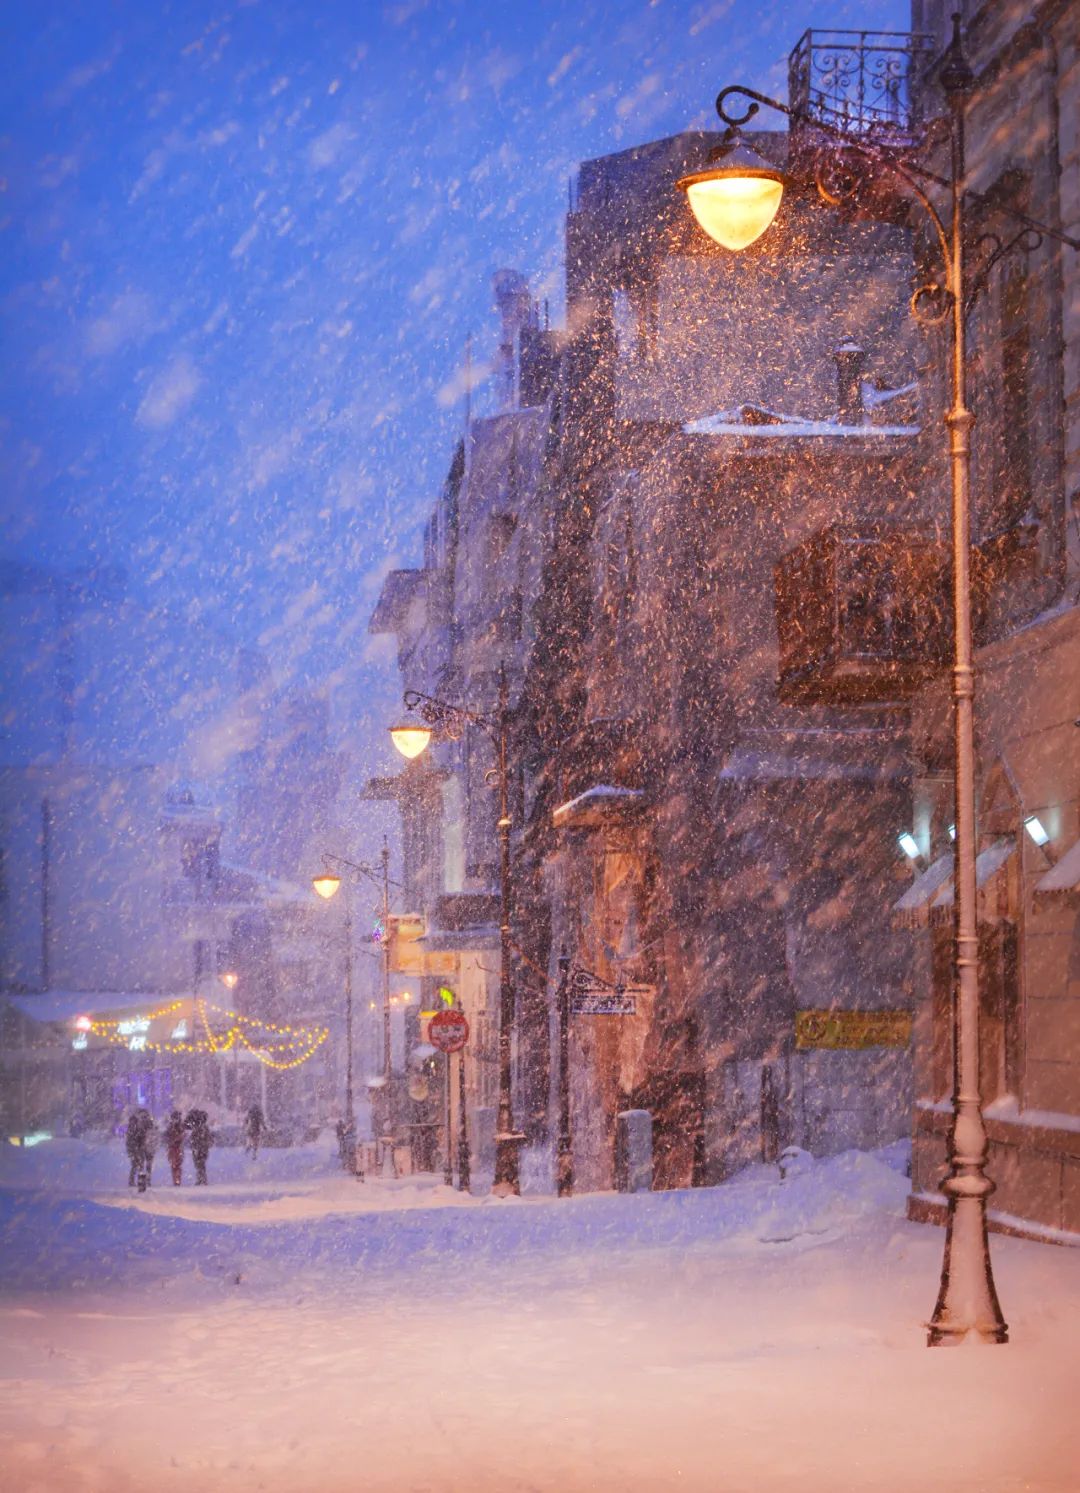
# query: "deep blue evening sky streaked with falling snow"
x,y
243,249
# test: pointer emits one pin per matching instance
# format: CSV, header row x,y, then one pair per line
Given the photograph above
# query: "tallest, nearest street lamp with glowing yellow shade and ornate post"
x,y
967,1304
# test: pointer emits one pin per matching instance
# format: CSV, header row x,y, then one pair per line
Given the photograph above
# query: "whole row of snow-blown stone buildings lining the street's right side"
x,y
707,535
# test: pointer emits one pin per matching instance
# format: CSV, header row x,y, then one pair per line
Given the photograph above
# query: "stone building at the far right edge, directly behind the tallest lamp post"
x,y
1024,150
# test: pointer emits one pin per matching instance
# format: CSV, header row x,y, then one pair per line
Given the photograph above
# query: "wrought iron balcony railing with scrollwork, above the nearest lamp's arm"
x,y
864,83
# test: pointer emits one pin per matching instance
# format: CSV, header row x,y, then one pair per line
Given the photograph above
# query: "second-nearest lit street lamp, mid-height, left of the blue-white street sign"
x,y
453,719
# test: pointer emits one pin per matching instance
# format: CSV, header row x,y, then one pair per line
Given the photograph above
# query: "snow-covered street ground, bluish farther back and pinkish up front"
x,y
294,1331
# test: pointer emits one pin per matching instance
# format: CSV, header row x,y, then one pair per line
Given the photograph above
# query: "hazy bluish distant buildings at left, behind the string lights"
x,y
117,889
